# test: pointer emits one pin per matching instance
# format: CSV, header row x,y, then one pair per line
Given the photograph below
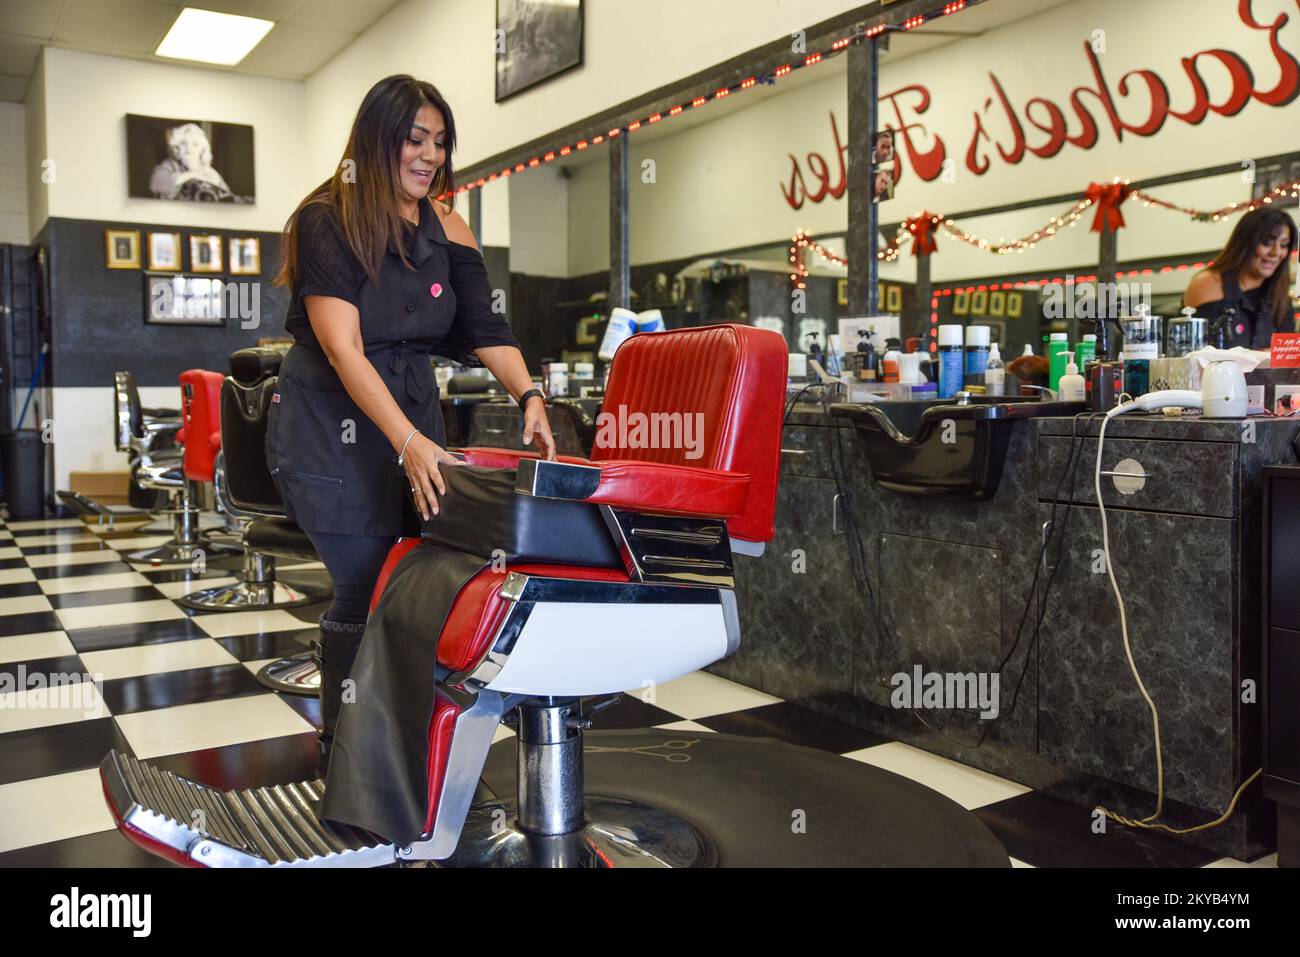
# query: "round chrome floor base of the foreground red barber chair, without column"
x,y
618,834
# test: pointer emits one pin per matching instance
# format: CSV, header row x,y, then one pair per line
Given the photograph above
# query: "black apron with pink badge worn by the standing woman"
x,y
335,469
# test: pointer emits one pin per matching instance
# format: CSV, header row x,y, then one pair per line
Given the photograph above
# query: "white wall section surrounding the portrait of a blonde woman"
x,y
88,98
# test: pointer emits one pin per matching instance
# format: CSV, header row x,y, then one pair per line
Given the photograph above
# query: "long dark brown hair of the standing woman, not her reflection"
x,y
366,187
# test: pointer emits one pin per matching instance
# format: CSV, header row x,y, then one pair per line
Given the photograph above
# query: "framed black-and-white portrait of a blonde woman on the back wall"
x,y
189,161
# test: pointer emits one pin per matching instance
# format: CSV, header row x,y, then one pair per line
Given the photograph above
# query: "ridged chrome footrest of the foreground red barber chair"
x,y
207,828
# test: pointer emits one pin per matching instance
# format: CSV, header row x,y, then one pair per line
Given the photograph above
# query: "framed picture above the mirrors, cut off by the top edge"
x,y
536,41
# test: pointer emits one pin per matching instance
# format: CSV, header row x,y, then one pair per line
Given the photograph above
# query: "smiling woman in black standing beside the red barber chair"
x,y
383,276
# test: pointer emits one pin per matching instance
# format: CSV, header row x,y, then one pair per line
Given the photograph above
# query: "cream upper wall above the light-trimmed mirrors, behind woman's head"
x,y
630,49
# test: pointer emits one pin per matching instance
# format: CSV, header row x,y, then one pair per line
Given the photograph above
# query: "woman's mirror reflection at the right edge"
x,y
1251,279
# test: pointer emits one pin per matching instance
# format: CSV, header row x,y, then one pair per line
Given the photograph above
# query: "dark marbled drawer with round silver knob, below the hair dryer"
x,y
1189,478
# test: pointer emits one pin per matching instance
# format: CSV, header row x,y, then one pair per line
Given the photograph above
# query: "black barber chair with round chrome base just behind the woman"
x,y
246,492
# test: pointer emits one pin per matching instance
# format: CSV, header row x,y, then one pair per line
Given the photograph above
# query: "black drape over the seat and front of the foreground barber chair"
x,y
379,768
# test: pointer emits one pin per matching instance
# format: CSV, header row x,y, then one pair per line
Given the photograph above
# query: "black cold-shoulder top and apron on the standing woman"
x,y
333,467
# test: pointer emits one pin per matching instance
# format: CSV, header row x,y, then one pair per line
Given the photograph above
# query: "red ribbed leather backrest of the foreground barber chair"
x,y
735,378
